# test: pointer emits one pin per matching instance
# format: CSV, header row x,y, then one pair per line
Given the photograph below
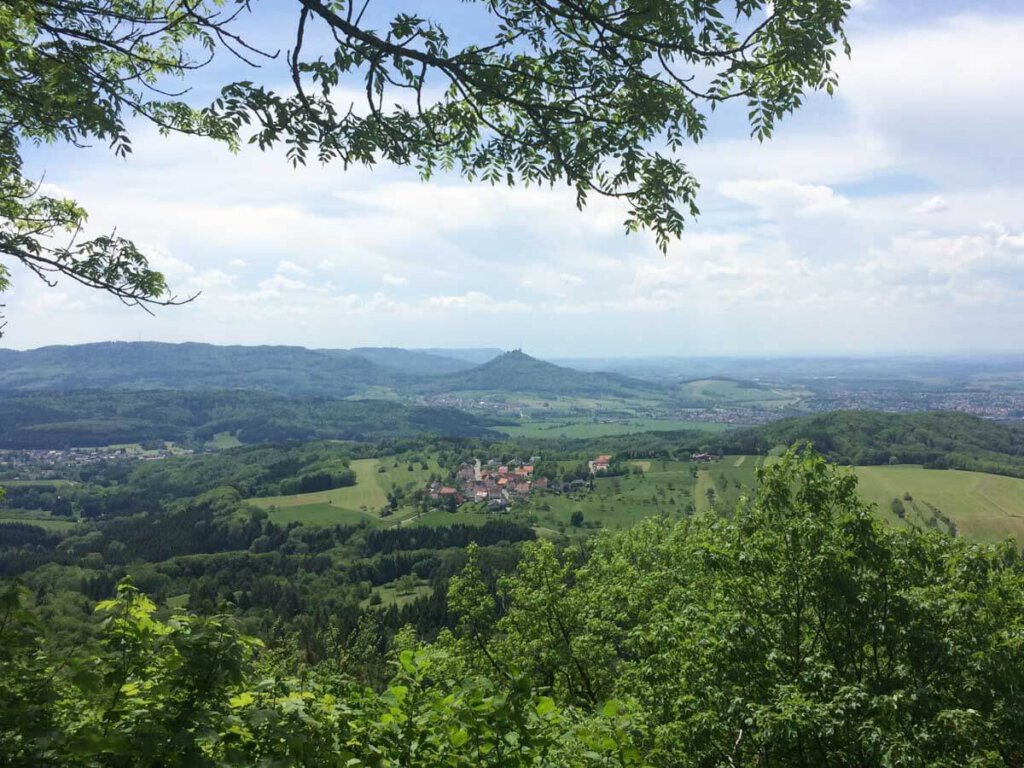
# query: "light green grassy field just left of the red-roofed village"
x,y
362,502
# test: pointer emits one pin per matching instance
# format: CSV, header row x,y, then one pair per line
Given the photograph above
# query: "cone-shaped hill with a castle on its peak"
x,y
517,372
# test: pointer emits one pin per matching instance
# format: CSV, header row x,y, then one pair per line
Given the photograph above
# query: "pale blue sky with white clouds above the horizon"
x,y
888,220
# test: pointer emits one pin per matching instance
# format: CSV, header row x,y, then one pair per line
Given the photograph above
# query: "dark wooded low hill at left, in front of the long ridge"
x,y
71,419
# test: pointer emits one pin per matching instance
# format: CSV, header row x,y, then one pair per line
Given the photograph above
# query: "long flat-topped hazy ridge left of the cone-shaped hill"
x,y
192,366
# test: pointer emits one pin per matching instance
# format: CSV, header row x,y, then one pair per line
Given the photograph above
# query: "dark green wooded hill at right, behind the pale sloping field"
x,y
941,440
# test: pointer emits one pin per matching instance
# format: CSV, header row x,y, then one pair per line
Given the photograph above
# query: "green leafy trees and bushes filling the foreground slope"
x,y
797,632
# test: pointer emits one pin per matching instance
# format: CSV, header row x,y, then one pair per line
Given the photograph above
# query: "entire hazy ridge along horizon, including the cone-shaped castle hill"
x,y
377,372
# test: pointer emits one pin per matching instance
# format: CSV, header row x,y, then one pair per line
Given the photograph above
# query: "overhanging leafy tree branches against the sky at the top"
x,y
577,93
